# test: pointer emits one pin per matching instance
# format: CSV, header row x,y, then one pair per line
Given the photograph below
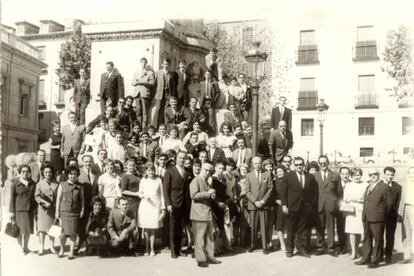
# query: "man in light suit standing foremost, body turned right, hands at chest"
x,y
201,216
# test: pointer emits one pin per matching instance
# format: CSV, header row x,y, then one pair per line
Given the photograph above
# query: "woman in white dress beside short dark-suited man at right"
x,y
354,195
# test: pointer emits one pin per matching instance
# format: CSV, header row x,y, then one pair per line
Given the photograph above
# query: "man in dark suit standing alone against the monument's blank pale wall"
x,y
111,86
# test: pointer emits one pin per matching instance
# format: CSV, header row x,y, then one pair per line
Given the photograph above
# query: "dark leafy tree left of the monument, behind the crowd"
x,y
74,55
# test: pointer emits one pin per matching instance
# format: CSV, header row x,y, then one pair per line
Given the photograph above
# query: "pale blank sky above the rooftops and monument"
x,y
65,11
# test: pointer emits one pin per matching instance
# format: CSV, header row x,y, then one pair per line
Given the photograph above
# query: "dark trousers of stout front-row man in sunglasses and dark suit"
x,y
297,228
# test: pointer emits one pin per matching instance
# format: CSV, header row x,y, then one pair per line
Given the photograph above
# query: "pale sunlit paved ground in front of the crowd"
x,y
14,264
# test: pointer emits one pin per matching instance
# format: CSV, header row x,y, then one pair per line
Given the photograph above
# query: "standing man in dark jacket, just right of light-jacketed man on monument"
x,y
166,87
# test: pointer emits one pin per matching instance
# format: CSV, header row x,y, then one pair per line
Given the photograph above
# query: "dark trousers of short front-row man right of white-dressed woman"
x,y
373,232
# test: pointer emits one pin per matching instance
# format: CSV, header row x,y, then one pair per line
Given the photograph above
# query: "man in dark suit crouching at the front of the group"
x,y
121,224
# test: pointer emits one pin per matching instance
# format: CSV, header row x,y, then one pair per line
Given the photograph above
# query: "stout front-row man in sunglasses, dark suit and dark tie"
x,y
299,196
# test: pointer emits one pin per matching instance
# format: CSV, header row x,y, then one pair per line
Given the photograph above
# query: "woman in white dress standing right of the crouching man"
x,y
152,208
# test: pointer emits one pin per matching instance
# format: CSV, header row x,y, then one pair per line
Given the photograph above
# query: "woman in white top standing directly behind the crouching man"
x,y
109,183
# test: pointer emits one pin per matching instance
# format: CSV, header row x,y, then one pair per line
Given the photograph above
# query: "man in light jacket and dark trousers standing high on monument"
x,y
143,82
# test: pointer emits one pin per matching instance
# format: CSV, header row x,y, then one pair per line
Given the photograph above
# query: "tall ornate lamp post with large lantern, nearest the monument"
x,y
256,64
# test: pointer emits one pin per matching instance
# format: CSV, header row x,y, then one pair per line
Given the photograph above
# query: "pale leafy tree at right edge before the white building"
x,y
397,61
